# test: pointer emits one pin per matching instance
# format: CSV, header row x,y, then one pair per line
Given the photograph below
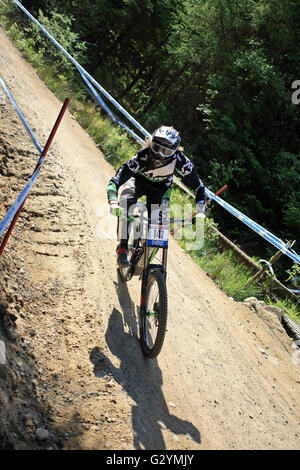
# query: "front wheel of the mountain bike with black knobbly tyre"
x,y
154,315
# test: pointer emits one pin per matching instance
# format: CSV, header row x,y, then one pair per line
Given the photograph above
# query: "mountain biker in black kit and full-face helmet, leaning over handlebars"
x,y
151,173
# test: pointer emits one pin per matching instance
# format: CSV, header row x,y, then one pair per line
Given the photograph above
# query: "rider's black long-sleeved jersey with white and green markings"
x,y
142,167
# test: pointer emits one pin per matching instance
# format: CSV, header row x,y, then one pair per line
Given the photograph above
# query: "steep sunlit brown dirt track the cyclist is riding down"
x,y
75,376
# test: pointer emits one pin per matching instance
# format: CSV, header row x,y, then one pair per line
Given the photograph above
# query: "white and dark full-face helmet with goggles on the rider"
x,y
164,143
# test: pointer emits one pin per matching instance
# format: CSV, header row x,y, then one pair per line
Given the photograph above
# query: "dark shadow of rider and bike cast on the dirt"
x,y
142,380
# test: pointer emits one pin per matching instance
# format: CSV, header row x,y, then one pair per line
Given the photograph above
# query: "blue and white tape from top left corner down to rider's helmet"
x,y
96,84
